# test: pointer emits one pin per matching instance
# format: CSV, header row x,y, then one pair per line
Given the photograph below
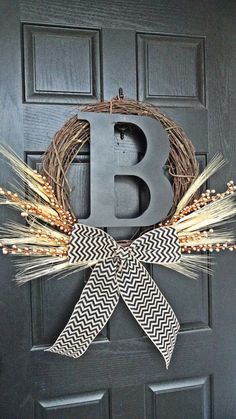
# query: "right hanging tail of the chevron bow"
x,y
149,307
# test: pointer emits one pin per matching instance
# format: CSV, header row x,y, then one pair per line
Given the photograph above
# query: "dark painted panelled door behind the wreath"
x,y
181,57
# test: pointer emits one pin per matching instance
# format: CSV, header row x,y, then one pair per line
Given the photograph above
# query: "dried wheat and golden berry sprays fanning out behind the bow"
x,y
45,238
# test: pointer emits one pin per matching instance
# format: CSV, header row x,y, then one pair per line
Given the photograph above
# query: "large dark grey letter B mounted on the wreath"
x,y
103,170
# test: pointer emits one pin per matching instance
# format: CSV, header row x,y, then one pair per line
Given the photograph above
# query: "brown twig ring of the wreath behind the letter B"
x,y
71,138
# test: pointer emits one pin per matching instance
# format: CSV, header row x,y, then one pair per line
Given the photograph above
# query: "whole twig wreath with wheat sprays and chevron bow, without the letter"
x,y
53,243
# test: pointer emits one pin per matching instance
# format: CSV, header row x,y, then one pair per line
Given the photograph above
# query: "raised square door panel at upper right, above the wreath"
x,y
184,82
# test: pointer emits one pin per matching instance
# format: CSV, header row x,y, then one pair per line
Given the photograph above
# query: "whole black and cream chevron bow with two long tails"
x,y
119,272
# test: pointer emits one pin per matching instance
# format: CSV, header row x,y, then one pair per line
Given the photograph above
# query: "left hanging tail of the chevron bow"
x,y
91,313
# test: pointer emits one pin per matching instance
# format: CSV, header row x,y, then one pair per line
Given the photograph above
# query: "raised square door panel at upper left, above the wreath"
x,y
61,65
